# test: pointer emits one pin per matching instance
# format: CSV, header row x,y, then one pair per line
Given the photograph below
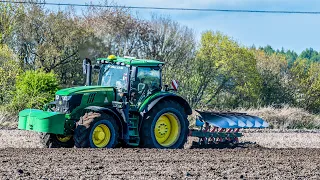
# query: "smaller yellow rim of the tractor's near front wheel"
x,y
101,135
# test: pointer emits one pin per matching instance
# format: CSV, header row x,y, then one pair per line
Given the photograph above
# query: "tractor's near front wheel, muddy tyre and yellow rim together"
x,y
96,130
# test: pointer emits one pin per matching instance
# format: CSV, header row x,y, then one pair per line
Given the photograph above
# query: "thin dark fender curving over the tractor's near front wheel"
x,y
112,112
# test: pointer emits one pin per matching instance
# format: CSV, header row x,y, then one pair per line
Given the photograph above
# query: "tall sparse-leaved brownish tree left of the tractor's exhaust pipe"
x,y
49,41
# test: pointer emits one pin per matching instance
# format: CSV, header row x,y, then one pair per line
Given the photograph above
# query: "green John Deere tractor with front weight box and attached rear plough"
x,y
128,106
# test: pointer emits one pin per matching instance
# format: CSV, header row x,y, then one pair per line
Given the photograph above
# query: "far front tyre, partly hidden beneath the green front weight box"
x,y
51,141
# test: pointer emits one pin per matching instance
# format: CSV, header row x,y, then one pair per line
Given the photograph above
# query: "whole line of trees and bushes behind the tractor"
x,y
41,50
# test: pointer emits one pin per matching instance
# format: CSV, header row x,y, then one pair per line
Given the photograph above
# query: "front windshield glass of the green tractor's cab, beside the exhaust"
x,y
114,76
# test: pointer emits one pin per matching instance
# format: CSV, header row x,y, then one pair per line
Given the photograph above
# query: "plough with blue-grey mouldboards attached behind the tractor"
x,y
218,128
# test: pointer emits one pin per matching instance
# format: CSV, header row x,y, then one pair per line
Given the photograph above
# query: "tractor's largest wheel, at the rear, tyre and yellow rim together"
x,y
164,126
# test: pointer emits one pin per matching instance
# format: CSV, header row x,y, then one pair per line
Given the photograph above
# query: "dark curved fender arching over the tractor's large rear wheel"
x,y
152,100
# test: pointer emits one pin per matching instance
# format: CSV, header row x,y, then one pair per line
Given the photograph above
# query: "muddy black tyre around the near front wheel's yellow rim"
x,y
87,123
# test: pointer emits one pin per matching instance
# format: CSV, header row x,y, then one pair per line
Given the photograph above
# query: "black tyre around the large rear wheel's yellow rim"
x,y
147,136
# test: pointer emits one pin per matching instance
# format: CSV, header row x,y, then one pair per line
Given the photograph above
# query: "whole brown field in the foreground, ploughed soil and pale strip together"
x,y
276,155
